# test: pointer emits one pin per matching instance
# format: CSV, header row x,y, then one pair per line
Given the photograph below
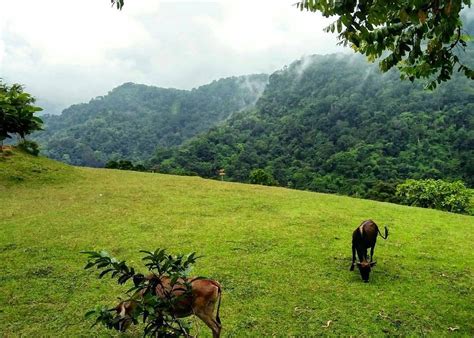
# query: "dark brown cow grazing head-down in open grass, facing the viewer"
x,y
364,237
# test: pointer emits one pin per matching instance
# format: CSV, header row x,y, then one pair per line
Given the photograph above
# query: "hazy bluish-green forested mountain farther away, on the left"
x,y
132,120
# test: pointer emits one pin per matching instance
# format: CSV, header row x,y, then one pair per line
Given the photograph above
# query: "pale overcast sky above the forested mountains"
x,y
67,51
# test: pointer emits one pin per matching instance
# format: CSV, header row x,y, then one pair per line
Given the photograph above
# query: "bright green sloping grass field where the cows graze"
x,y
281,255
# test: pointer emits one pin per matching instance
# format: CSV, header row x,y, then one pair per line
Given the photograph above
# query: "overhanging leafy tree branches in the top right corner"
x,y
420,37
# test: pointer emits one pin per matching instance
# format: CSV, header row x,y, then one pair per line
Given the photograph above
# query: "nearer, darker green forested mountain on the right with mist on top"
x,y
335,124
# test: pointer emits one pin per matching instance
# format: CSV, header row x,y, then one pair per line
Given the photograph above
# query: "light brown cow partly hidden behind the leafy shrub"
x,y
201,302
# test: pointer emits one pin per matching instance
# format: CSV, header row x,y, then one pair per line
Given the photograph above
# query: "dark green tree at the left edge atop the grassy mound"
x,y
17,112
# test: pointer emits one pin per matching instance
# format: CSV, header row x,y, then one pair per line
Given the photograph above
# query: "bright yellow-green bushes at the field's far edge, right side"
x,y
435,194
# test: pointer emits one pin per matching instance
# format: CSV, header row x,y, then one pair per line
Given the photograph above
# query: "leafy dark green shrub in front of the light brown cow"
x,y
154,310
